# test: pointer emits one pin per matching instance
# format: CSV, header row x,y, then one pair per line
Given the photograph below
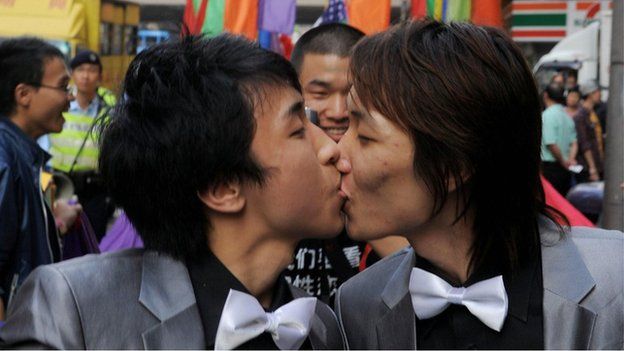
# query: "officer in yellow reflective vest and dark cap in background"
x,y
75,150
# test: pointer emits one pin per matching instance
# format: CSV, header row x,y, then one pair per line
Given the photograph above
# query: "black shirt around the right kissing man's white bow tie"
x,y
457,328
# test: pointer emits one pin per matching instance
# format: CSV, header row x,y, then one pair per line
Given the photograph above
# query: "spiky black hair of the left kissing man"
x,y
185,123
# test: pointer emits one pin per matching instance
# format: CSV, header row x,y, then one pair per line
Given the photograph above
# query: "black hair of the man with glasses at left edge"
x,y
22,60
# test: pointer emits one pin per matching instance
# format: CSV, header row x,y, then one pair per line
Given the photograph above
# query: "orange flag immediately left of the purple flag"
x,y
241,17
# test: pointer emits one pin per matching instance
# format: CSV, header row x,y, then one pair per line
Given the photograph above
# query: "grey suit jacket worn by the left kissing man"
x,y
132,299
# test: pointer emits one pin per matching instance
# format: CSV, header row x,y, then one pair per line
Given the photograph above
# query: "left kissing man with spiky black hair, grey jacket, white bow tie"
x,y
212,158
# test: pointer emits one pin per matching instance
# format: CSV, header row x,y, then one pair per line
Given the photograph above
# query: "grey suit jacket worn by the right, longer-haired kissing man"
x,y
583,295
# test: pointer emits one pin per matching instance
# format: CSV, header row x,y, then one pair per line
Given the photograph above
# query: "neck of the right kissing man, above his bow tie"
x,y
445,244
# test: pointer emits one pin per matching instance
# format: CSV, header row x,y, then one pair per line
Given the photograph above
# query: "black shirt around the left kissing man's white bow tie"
x,y
212,282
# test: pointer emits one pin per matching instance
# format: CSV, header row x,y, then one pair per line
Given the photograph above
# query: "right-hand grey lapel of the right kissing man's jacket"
x,y
567,325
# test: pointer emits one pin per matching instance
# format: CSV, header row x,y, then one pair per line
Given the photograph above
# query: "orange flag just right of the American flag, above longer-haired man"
x,y
369,16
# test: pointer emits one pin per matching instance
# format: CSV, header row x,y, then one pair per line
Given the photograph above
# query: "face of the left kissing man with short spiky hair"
x,y
301,191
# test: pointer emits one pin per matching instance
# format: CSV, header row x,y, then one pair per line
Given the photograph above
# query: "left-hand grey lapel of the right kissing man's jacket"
x,y
396,329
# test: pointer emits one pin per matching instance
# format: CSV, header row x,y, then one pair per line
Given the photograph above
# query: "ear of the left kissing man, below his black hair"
x,y
224,198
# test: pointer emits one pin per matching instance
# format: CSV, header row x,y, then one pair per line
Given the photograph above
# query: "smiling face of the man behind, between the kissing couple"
x,y
325,90
